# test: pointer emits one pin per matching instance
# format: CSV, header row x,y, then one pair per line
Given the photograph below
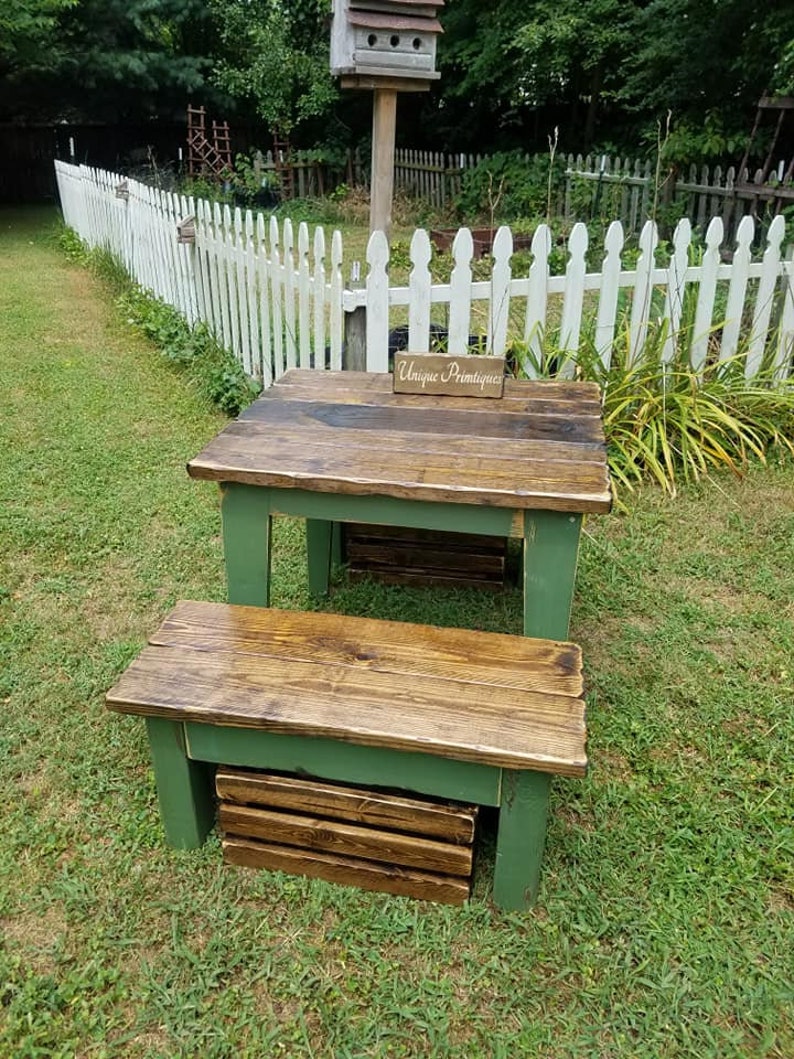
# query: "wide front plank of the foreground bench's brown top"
x,y
492,726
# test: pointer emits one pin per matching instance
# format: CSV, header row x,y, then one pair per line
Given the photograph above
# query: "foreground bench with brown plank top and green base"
x,y
459,715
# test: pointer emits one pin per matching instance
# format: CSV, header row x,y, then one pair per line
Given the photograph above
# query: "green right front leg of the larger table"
x,y
551,551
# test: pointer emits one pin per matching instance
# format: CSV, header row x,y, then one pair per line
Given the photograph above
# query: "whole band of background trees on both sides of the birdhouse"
x,y
606,73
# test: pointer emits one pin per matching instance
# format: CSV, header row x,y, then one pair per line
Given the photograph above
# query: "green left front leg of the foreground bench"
x,y
184,787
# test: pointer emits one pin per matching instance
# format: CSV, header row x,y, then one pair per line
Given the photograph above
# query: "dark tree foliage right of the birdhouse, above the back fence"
x,y
610,70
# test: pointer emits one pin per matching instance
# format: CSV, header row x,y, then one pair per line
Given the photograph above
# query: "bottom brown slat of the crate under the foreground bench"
x,y
366,875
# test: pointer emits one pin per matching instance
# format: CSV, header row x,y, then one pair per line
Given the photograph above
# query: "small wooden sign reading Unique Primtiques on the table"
x,y
470,376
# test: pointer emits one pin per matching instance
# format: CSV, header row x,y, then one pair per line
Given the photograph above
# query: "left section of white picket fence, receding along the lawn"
x,y
273,300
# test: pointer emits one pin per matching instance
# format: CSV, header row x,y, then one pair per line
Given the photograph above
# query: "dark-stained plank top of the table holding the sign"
x,y
542,446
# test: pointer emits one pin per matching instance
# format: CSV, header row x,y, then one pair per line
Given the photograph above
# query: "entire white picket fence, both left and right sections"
x,y
276,303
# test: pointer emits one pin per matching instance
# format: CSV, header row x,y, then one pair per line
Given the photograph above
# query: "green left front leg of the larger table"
x,y
246,514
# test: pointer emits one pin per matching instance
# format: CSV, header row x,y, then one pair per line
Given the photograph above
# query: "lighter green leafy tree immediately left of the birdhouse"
x,y
276,59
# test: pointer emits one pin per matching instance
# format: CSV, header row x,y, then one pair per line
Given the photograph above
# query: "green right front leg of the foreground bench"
x,y
522,833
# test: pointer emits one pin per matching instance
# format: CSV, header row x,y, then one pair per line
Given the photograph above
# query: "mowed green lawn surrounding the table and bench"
x,y
664,926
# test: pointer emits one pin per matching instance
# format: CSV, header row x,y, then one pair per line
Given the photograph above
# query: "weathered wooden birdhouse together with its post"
x,y
389,47
